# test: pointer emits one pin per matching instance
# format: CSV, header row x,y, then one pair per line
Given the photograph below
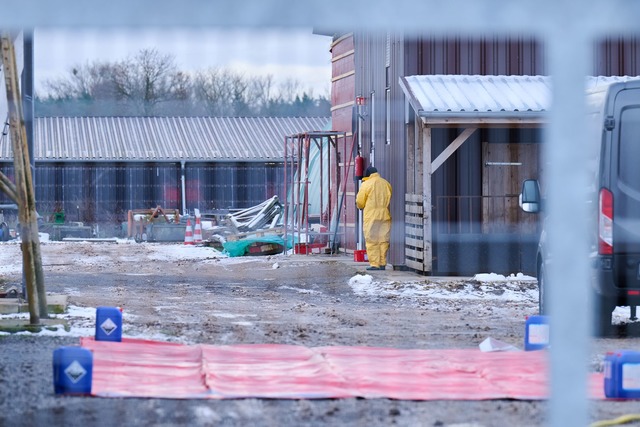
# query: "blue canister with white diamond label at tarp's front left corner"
x,y
72,370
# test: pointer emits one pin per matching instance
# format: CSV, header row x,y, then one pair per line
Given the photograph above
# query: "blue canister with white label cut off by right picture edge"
x,y
622,374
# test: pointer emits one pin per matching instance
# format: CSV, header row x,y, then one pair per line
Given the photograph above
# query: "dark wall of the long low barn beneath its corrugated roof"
x,y
104,192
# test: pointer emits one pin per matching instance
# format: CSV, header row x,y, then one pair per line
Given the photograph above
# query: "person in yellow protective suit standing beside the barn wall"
x,y
373,198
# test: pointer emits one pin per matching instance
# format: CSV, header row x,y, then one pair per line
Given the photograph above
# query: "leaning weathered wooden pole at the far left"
x,y
23,190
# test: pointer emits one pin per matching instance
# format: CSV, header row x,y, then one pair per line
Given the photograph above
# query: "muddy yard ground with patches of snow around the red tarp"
x,y
305,300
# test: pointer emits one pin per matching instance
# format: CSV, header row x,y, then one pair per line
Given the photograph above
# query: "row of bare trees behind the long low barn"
x,y
149,83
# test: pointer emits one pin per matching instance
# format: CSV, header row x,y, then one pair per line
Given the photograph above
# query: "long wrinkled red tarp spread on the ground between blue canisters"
x,y
139,368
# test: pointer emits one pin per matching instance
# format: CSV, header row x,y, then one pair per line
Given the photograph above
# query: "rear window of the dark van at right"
x,y
629,148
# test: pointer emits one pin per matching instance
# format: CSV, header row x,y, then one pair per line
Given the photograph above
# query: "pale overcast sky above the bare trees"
x,y
296,54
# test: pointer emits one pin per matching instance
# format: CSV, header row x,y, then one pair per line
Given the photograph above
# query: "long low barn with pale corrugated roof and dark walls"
x,y
96,169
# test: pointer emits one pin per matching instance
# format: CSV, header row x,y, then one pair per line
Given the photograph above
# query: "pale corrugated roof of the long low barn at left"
x,y
143,139
